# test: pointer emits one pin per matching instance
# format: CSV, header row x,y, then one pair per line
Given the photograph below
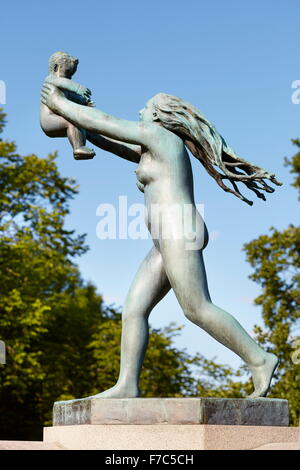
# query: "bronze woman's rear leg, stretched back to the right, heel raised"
x,y
186,272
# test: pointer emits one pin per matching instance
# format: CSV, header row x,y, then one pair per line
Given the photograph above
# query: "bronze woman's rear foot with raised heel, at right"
x,y
262,375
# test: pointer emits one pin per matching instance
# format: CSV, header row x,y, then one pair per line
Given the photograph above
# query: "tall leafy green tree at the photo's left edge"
x,y
37,274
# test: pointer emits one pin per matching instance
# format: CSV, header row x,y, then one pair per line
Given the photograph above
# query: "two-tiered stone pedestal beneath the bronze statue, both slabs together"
x,y
170,423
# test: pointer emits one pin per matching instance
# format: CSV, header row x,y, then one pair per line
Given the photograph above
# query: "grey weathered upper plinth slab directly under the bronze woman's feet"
x,y
183,411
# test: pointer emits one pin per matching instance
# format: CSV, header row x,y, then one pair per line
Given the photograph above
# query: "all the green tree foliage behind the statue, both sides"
x,y
63,342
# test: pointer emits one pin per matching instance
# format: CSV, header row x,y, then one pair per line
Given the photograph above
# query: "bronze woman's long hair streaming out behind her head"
x,y
208,146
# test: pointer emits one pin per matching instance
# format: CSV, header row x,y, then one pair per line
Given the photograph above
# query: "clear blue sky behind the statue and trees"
x,y
234,60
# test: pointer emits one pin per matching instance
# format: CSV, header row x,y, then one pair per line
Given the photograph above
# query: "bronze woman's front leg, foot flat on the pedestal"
x,y
149,286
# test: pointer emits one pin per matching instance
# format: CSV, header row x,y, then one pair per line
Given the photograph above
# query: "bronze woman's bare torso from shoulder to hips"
x,y
165,176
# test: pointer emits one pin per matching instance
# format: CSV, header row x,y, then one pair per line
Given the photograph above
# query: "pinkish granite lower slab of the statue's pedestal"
x,y
168,437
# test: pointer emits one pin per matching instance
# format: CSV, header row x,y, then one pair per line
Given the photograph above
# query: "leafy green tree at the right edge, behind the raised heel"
x,y
276,262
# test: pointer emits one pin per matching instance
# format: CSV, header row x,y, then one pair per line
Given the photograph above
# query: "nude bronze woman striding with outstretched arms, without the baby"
x,y
158,144
